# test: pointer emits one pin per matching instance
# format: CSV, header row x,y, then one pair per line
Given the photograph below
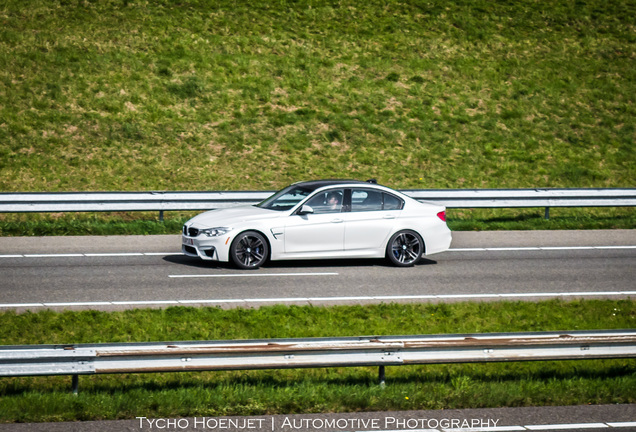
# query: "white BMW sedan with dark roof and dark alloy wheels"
x,y
318,220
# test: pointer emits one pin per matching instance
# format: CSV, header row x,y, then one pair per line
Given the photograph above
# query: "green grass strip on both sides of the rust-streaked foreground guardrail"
x,y
316,390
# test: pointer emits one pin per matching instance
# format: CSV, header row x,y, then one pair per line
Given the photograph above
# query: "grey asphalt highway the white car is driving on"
x,y
116,272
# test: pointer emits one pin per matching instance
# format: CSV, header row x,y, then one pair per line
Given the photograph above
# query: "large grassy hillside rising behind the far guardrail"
x,y
203,95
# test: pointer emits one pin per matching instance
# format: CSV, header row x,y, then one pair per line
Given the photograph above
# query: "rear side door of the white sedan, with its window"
x,y
370,220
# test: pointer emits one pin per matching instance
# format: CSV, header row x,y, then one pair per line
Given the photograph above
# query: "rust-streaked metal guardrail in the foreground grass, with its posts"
x,y
86,359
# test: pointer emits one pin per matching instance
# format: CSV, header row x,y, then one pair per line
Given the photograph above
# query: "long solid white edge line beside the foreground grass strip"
x,y
315,299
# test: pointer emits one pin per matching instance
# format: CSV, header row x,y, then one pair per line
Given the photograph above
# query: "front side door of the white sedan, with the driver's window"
x,y
320,232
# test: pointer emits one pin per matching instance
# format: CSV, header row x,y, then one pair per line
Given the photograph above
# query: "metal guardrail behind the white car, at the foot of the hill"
x,y
172,201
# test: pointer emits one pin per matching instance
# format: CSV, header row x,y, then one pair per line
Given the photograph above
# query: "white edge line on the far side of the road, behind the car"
x,y
487,249
